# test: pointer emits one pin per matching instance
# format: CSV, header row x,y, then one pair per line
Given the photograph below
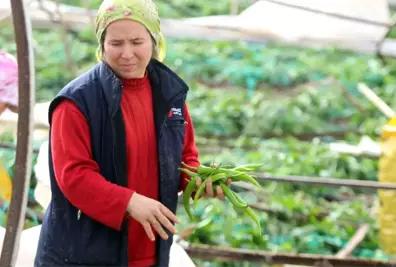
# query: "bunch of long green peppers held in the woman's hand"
x,y
219,176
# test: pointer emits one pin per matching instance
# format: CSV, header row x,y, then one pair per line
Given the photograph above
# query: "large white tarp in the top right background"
x,y
290,24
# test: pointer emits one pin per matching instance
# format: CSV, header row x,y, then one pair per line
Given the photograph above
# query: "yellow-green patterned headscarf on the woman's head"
x,y
143,11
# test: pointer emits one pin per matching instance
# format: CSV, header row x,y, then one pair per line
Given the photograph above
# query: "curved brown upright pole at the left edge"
x,y
16,213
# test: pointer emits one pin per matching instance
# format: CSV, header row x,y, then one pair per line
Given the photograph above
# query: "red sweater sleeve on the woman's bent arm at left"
x,y
77,174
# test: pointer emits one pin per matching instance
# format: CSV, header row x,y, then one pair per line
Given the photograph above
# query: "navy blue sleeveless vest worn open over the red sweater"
x,y
69,240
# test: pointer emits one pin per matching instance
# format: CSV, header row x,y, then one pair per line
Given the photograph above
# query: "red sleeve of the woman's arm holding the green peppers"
x,y
190,150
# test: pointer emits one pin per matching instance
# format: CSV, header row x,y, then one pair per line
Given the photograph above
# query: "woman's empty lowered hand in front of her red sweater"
x,y
149,212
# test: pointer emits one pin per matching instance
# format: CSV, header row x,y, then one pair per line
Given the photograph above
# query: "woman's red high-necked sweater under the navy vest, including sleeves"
x,y
78,174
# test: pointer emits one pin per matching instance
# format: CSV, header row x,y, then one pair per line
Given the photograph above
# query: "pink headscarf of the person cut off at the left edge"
x,y
8,79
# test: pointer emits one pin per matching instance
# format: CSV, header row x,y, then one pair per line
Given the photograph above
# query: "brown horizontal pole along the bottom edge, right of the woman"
x,y
231,254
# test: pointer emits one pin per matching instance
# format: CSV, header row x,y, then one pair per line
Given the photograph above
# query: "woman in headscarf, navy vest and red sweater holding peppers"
x,y
118,136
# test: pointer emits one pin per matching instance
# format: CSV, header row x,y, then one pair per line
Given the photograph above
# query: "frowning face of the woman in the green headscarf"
x,y
128,48
